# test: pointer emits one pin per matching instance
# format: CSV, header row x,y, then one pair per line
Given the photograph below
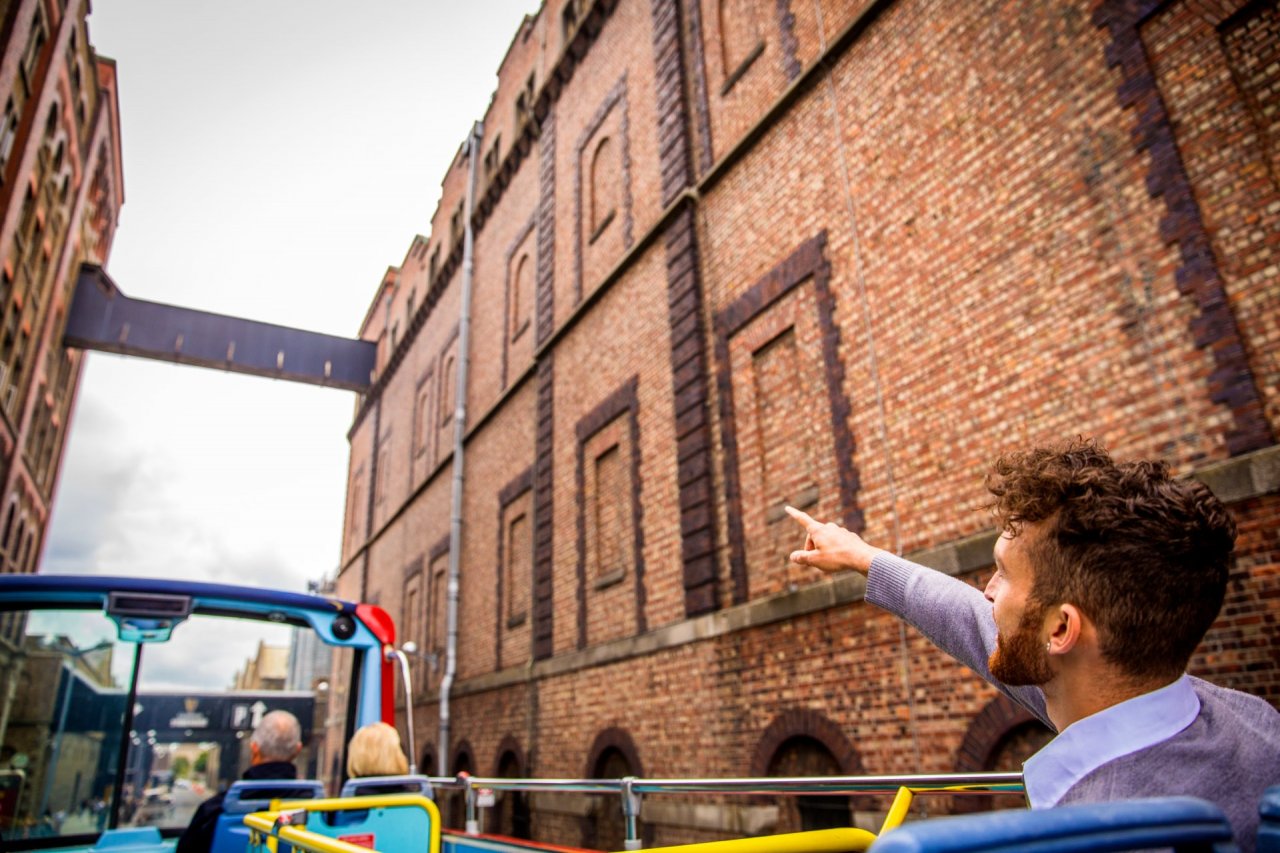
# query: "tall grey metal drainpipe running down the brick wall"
x,y
460,428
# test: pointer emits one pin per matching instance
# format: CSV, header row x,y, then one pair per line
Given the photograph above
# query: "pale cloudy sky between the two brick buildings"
x,y
278,157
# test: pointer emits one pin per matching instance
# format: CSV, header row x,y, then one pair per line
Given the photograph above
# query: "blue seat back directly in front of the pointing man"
x,y
1180,823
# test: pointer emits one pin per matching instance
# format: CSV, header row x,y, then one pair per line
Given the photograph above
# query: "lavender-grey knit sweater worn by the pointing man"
x,y
1229,755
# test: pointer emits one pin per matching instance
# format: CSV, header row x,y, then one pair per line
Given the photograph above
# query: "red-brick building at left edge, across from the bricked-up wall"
x,y
61,197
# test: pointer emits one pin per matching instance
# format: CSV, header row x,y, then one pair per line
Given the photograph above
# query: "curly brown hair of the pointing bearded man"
x,y
1144,555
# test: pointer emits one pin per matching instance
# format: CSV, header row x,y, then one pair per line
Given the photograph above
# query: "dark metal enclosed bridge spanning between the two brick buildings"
x,y
103,318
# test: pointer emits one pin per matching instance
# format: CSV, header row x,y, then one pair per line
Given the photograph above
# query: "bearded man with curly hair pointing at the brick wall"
x,y
1108,577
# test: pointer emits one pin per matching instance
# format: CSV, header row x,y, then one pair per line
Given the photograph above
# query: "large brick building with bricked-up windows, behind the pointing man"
x,y
732,256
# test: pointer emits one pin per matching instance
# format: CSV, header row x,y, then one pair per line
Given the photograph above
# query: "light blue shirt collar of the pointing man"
x,y
1123,729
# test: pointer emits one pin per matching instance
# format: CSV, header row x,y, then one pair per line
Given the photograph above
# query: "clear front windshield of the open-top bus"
x,y
79,758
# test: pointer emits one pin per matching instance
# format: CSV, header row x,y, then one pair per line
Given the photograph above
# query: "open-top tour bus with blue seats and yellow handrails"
x,y
117,723
